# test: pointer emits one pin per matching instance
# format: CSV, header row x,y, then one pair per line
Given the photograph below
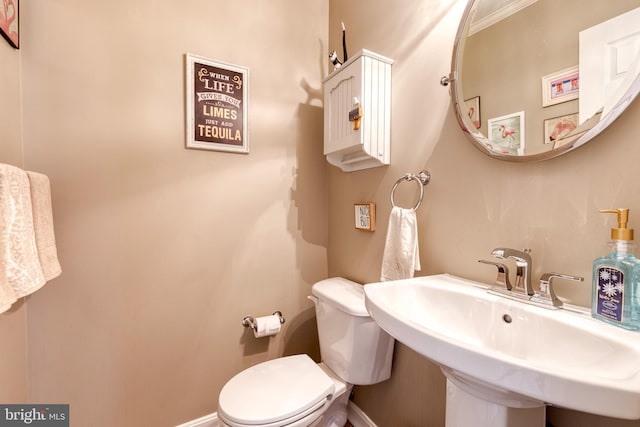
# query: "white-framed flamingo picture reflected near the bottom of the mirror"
x,y
506,134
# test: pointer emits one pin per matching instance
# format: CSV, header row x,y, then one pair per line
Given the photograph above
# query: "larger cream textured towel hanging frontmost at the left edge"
x,y
20,271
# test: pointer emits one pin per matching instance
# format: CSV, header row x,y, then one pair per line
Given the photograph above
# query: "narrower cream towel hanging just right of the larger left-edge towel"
x,y
43,225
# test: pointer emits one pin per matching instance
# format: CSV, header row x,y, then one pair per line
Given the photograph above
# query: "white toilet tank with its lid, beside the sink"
x,y
351,344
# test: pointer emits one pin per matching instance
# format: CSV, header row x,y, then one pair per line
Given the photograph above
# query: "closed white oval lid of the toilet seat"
x,y
275,390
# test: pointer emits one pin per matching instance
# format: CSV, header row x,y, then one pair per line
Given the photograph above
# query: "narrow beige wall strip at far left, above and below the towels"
x,y
13,364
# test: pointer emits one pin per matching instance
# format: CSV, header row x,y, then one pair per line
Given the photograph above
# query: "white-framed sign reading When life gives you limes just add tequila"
x,y
217,110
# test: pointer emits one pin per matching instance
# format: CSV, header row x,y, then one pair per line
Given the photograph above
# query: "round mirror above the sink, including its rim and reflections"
x,y
533,79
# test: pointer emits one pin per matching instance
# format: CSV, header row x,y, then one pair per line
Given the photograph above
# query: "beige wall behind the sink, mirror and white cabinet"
x,y
473,203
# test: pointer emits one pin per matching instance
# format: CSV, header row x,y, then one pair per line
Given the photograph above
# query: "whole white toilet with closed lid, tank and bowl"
x,y
294,391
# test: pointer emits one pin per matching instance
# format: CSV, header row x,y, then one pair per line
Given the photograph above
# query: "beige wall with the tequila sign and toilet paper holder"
x,y
163,249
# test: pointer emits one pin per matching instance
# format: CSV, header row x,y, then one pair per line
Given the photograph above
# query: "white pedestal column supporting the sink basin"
x,y
472,404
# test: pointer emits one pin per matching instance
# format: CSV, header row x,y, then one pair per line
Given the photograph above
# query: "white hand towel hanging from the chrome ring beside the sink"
x,y
401,256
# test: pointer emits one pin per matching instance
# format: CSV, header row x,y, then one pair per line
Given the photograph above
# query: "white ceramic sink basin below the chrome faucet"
x,y
559,357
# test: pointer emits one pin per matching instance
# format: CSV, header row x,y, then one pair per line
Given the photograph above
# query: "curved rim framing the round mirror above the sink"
x,y
476,137
